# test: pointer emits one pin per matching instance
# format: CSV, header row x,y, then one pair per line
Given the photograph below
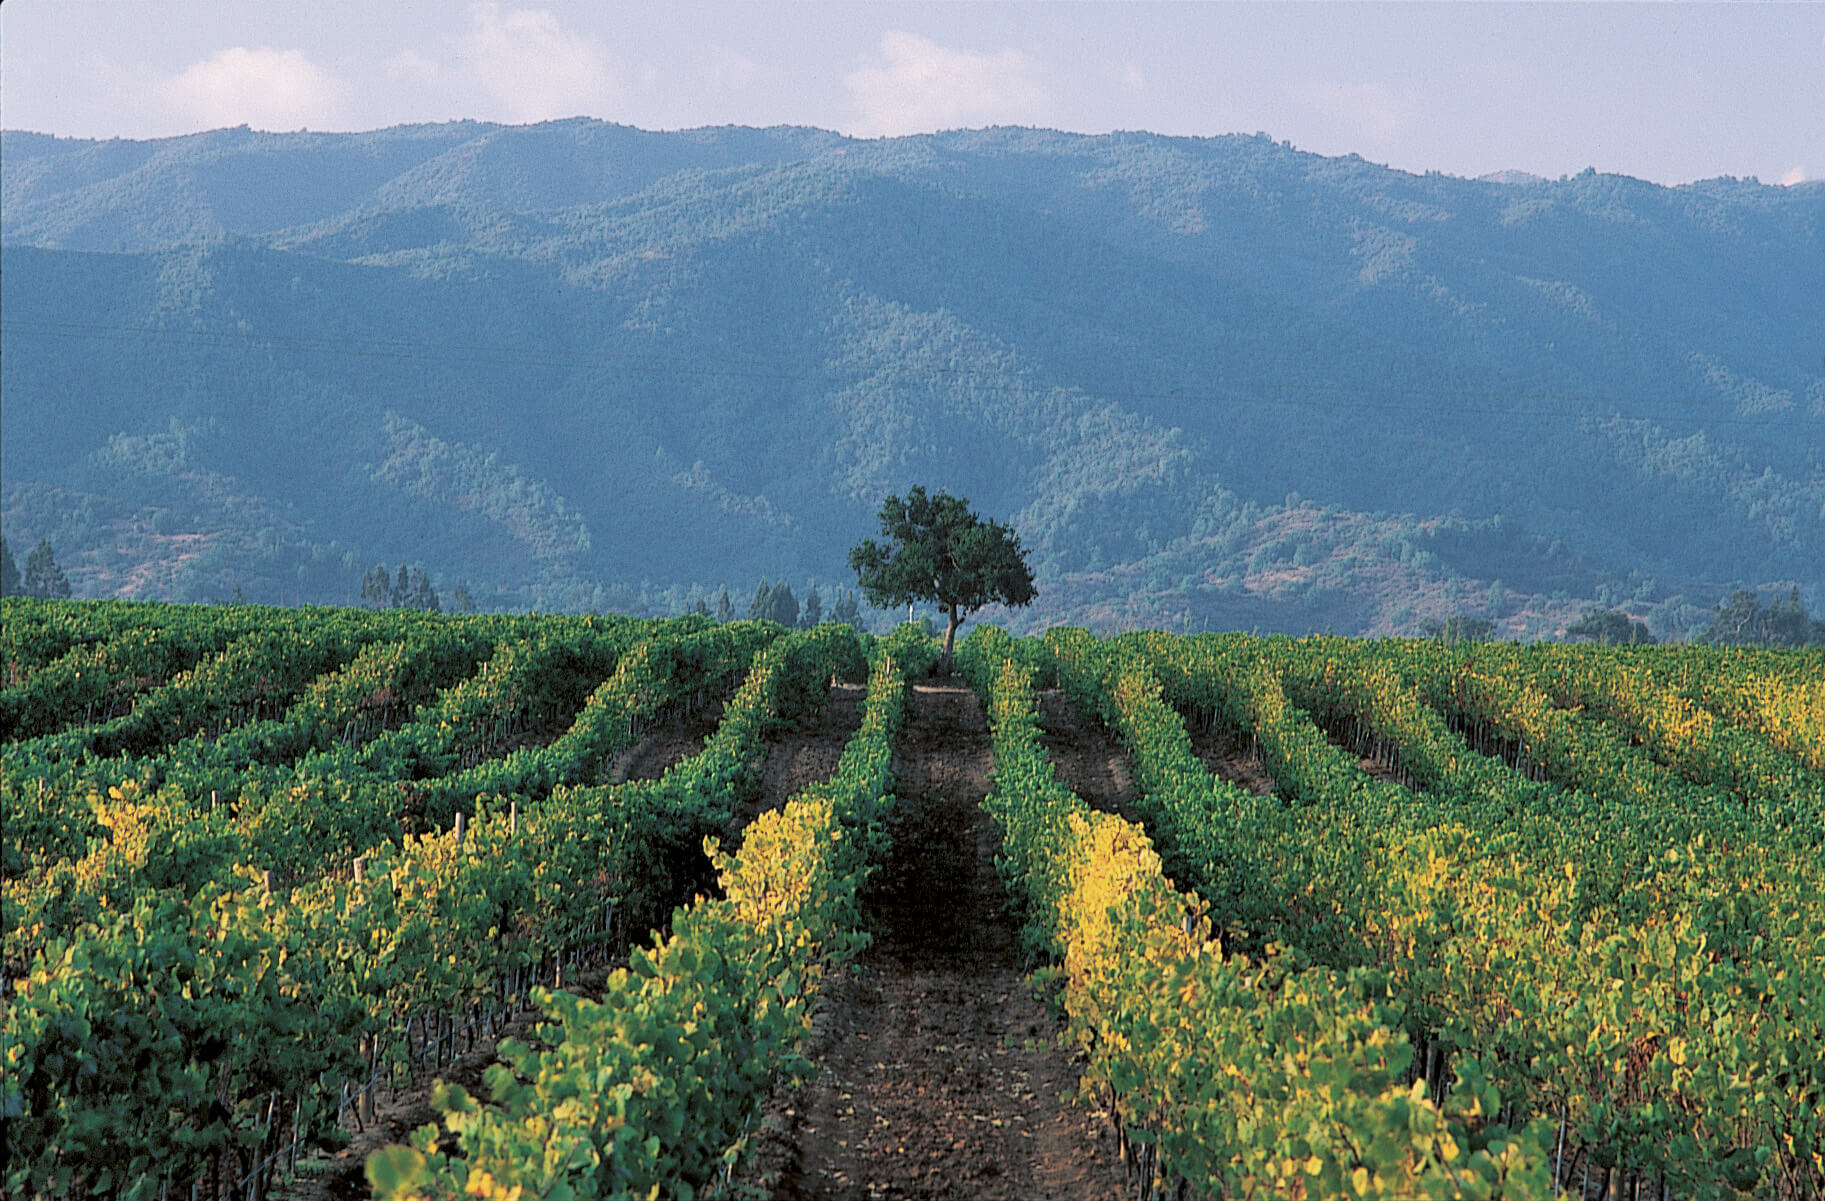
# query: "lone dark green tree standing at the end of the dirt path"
x,y
941,552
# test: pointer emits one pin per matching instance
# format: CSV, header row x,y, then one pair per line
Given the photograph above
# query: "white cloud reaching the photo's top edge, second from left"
x,y
534,67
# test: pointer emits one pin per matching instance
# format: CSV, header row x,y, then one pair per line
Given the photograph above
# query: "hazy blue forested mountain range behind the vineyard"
x,y
1213,382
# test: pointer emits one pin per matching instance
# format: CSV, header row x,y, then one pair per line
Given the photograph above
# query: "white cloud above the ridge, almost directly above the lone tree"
x,y
919,87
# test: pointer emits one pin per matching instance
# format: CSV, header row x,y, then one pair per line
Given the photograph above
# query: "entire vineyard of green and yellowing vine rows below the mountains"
x,y
625,908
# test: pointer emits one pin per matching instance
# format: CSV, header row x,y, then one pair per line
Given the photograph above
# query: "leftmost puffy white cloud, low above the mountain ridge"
x,y
266,89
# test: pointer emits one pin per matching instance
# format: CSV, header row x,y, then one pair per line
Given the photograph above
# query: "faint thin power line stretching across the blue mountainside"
x,y
1308,395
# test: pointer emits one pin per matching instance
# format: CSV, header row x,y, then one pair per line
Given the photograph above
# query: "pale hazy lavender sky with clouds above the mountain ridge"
x,y
1667,92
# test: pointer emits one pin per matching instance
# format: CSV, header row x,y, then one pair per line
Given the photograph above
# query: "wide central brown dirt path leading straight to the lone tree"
x,y
941,1076
